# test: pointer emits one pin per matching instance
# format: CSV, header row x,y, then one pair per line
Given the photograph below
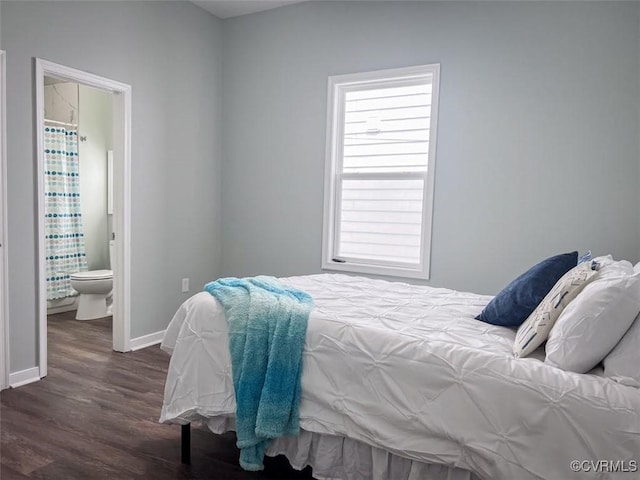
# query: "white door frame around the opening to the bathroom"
x,y
121,196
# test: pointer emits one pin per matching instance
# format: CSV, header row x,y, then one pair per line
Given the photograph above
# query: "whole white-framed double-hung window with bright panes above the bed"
x,y
381,134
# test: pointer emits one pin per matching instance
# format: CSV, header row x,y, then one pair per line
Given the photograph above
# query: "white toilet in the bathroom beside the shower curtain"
x,y
94,287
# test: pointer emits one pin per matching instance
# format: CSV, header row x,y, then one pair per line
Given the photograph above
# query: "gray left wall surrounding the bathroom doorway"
x,y
170,53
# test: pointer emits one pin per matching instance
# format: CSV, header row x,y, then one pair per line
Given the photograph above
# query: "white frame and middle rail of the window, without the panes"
x,y
338,86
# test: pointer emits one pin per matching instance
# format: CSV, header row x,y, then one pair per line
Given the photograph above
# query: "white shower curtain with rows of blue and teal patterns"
x,y
64,237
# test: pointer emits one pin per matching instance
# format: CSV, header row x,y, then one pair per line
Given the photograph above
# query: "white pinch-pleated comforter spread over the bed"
x,y
407,369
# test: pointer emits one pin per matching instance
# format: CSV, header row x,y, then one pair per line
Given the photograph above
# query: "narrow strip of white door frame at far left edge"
x,y
4,257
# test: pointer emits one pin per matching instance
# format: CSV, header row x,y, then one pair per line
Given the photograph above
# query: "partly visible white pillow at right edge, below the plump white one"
x,y
623,363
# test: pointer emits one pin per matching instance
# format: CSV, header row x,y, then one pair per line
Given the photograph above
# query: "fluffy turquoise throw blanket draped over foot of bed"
x,y
267,327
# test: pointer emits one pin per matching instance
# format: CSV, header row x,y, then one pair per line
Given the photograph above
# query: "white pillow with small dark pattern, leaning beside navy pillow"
x,y
533,332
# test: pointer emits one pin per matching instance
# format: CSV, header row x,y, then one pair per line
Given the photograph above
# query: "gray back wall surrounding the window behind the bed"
x,y
537,142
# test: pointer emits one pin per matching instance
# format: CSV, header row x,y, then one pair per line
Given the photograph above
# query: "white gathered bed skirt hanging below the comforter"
x,y
338,458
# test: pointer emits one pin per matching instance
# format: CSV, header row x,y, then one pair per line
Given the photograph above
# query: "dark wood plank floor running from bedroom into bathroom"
x,y
95,416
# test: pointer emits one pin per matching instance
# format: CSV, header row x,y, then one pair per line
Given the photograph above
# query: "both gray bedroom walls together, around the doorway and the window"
x,y
538,146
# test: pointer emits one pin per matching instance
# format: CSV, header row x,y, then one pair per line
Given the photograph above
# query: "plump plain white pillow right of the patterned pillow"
x,y
595,321
